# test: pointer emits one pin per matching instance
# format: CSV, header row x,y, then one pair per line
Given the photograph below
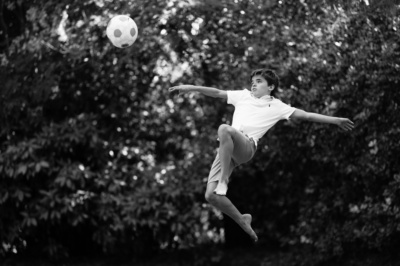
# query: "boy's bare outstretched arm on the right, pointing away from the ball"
x,y
343,123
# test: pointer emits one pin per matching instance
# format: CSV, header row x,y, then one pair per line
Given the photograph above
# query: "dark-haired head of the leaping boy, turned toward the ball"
x,y
258,77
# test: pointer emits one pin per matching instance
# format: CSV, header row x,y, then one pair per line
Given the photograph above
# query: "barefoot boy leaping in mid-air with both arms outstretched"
x,y
256,111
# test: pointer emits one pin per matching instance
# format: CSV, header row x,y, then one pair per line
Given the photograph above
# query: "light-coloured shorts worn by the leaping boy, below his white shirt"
x,y
244,149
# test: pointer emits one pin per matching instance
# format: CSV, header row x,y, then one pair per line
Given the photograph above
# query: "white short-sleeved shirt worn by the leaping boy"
x,y
255,116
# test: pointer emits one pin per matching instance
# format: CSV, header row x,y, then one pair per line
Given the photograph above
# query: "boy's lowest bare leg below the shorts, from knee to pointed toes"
x,y
226,206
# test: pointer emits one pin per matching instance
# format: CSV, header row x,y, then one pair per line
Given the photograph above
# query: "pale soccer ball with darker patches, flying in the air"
x,y
122,31
